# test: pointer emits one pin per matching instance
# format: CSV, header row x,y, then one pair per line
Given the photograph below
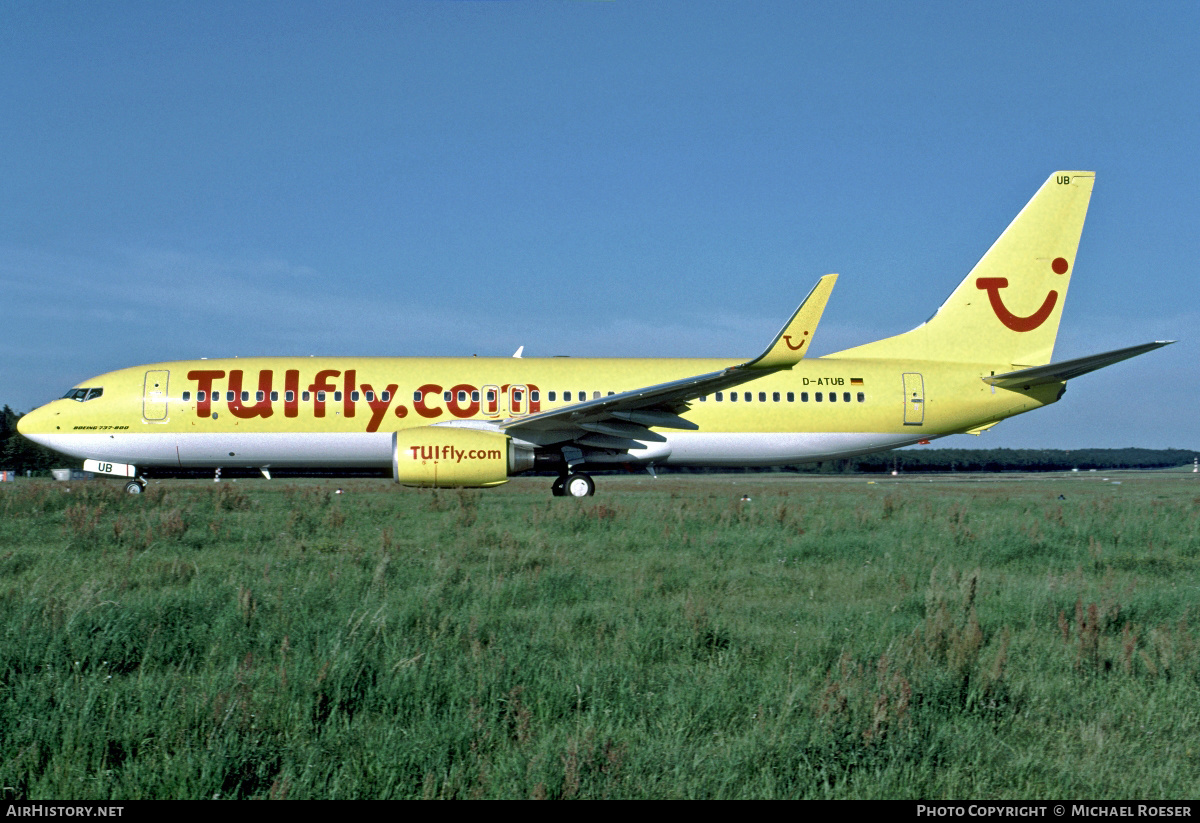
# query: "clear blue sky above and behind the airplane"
x,y
183,181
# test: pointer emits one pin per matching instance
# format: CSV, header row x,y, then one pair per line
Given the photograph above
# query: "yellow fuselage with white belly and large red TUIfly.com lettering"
x,y
151,416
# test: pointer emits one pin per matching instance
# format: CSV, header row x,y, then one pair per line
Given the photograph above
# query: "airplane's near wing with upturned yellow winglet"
x,y
623,422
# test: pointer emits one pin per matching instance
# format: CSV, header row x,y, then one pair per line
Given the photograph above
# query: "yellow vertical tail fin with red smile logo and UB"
x,y
1007,310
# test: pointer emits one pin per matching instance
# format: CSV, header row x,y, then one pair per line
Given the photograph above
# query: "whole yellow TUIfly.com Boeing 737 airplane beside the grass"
x,y
477,422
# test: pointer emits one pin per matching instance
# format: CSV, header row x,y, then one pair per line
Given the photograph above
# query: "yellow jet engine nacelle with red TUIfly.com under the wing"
x,y
449,456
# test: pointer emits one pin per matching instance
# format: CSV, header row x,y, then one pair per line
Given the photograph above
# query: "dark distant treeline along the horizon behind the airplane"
x,y
22,455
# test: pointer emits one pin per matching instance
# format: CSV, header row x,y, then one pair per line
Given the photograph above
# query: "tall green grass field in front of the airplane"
x,y
958,638
